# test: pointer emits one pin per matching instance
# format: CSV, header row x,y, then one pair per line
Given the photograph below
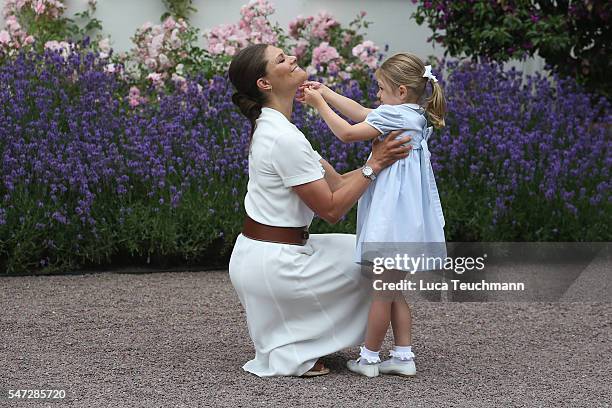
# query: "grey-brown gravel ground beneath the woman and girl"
x,y
180,339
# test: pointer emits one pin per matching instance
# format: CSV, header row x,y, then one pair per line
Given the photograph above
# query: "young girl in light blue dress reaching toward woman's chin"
x,y
402,205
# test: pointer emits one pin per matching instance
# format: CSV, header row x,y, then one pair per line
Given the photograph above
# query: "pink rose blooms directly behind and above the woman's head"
x,y
323,46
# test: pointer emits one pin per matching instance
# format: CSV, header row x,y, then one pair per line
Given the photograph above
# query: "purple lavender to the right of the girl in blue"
x,y
523,161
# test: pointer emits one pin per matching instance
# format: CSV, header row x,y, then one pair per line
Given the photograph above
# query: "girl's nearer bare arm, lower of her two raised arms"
x,y
340,127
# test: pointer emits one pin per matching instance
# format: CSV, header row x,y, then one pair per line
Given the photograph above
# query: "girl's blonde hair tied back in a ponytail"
x,y
408,69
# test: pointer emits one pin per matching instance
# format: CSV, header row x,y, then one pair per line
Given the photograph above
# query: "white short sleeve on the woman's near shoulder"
x,y
295,161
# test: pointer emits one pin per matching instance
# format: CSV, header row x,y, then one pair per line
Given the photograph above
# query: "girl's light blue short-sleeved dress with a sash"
x,y
402,205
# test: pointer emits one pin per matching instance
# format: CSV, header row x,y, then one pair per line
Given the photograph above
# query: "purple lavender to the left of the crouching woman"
x,y
86,178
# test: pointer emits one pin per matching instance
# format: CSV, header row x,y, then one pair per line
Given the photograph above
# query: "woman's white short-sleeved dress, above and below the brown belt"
x,y
301,302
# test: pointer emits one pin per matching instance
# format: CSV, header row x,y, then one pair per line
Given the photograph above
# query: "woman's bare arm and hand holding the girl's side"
x,y
332,202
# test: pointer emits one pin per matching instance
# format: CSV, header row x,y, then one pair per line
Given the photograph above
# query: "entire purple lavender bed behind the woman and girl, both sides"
x,y
90,178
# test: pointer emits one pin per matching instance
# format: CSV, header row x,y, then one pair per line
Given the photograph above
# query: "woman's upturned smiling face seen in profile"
x,y
283,73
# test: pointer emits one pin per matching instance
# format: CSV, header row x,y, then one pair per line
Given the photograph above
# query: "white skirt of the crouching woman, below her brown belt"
x,y
301,302
